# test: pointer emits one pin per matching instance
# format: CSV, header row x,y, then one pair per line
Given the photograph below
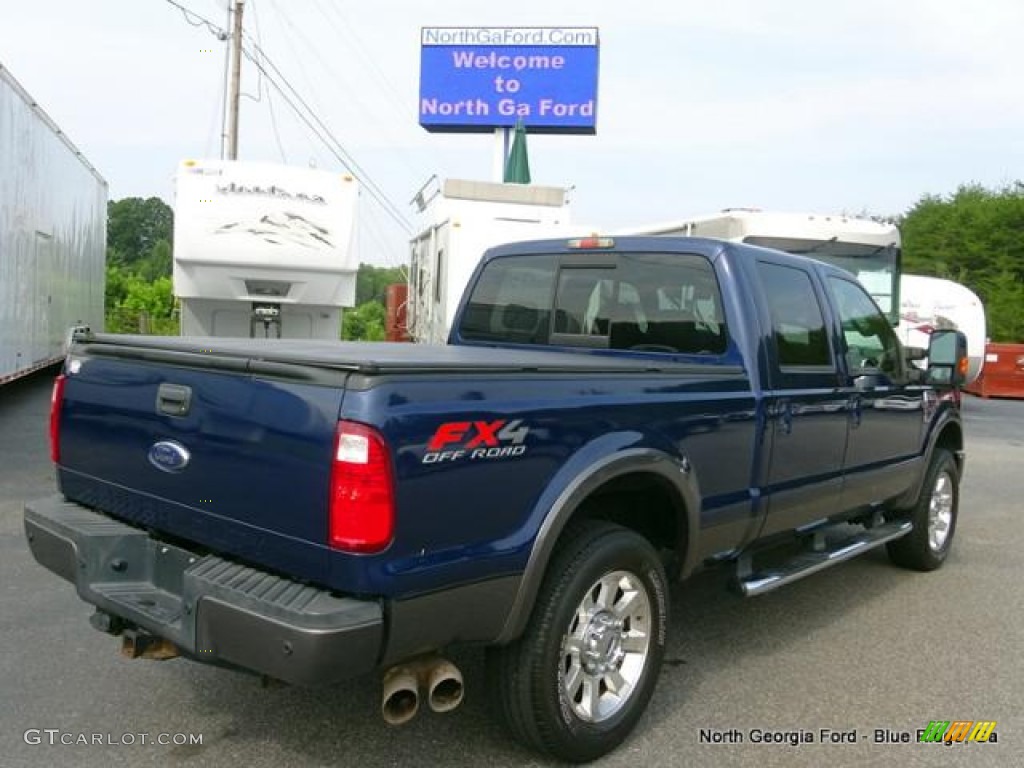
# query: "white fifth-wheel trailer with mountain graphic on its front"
x,y
264,250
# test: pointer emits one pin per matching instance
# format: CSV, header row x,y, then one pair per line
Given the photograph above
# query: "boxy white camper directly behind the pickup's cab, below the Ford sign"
x,y
462,220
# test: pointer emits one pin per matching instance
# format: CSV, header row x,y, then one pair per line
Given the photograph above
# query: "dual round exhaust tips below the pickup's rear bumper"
x,y
439,679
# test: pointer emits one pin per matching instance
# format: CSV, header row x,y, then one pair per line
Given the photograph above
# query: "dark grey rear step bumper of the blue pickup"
x,y
214,610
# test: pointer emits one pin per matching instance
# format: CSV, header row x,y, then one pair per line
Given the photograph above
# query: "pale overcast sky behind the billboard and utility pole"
x,y
788,105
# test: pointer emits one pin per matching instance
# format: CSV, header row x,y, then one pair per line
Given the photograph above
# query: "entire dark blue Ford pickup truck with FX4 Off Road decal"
x,y
610,416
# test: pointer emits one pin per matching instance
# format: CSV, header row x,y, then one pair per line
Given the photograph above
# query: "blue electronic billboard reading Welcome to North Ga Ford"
x,y
482,78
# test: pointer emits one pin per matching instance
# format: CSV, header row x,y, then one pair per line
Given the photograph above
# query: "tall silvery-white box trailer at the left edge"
x,y
53,236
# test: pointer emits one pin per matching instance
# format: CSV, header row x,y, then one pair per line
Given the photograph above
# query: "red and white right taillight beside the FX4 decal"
x,y
362,516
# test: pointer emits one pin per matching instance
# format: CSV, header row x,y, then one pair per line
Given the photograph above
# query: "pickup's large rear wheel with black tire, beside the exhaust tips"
x,y
578,680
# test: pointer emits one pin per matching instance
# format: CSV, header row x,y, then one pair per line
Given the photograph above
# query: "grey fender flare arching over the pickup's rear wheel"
x,y
677,473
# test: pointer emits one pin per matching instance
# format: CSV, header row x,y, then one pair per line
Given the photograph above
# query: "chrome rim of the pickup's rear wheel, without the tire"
x,y
606,648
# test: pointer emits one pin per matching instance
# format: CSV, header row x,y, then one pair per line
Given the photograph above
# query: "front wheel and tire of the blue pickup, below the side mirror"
x,y
934,518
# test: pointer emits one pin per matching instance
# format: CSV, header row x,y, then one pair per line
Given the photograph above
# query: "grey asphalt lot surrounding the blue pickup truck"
x,y
863,652
